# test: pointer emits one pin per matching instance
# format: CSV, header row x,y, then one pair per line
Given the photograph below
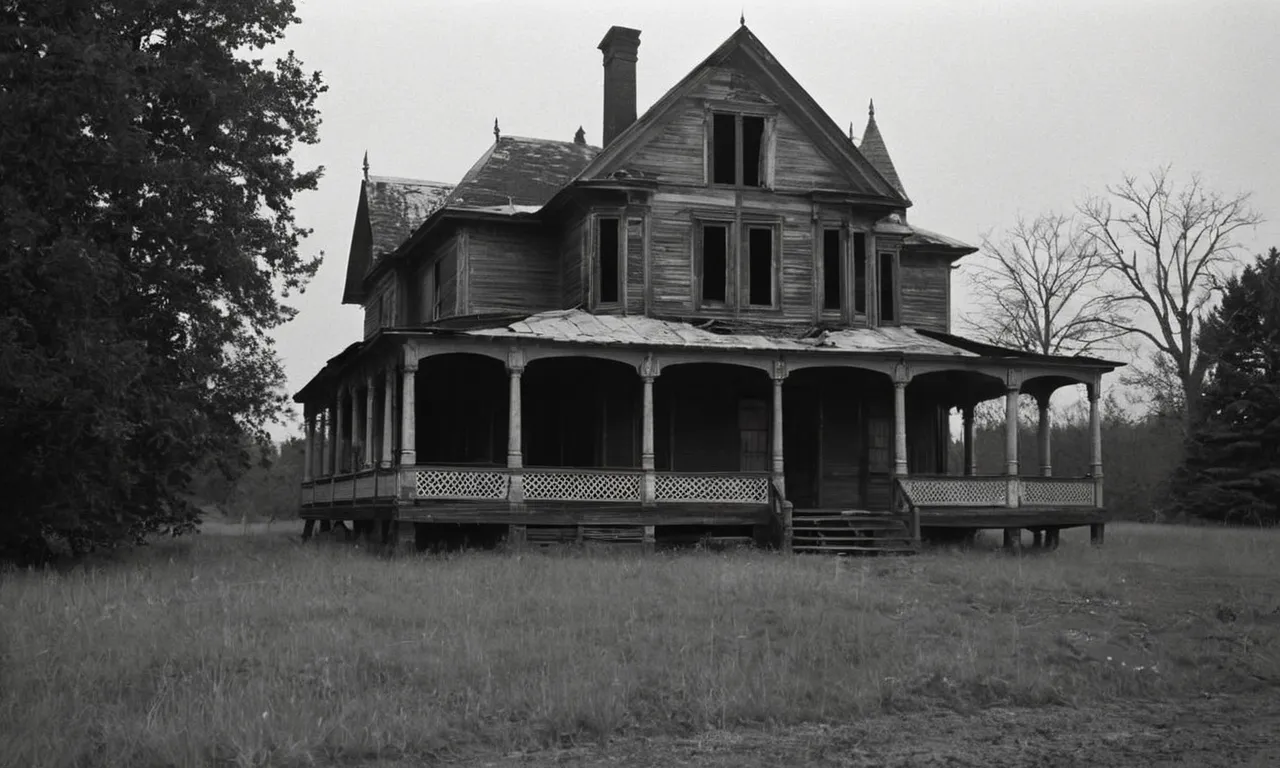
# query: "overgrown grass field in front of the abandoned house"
x,y
260,651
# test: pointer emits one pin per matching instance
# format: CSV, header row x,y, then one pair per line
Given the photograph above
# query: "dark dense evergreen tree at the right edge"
x,y
1232,472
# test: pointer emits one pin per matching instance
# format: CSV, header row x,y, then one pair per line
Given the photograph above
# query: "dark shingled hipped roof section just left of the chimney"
x,y
520,172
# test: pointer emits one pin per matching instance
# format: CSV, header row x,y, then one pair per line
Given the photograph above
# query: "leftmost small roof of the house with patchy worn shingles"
x,y
390,211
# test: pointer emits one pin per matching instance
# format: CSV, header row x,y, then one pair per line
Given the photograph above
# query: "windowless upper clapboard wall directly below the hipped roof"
x,y
511,268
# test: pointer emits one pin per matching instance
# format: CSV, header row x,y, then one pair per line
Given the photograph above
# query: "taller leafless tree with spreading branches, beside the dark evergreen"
x,y
1169,248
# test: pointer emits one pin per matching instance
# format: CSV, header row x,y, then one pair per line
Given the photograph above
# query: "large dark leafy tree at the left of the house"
x,y
147,244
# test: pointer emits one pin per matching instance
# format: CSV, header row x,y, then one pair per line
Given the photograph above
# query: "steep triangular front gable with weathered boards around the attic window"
x,y
742,71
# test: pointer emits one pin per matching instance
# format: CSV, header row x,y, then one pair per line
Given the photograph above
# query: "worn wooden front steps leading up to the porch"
x,y
851,532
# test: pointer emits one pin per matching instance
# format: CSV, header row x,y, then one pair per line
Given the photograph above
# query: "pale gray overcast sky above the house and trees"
x,y
989,109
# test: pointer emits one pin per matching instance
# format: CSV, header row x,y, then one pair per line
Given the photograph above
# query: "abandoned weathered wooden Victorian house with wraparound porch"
x,y
720,323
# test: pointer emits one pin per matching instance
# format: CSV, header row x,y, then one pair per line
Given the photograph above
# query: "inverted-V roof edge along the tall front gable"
x,y
781,86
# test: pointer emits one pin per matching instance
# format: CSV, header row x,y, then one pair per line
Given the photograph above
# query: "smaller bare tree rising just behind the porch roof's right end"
x,y
1039,290
